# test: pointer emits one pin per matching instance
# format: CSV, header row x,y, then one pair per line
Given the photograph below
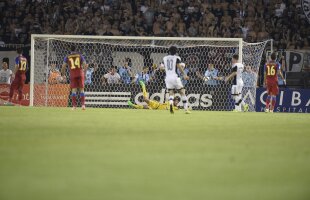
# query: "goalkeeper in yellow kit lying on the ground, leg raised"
x,y
152,104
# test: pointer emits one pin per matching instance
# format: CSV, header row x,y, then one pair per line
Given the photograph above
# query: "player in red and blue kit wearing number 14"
x,y
77,65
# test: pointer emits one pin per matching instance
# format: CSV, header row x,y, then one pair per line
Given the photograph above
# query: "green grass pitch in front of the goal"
x,y
107,154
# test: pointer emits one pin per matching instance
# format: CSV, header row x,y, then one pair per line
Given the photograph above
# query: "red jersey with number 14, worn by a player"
x,y
75,61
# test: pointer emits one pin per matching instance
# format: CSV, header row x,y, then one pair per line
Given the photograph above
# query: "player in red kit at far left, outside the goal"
x,y
20,77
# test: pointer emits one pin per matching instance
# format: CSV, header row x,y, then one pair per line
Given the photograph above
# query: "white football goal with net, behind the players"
x,y
103,52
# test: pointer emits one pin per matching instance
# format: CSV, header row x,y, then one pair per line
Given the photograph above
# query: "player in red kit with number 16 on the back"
x,y
271,71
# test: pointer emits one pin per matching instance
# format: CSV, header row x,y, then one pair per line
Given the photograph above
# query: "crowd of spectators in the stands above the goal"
x,y
254,20
